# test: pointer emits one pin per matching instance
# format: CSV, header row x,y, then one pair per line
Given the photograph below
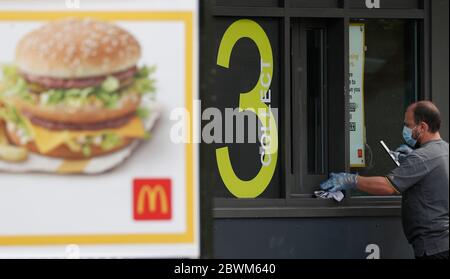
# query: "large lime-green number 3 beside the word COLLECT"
x,y
251,101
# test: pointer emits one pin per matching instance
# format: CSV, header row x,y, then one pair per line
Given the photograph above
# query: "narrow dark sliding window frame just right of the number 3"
x,y
304,181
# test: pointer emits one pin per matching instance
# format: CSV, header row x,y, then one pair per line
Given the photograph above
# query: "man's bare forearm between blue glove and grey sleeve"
x,y
375,185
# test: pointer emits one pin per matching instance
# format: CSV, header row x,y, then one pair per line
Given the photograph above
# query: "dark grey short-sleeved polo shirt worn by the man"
x,y
422,178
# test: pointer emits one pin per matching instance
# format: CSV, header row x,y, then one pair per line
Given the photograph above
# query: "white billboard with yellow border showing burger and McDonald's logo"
x,y
88,163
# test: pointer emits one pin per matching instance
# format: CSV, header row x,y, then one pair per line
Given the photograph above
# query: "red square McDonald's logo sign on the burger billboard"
x,y
152,199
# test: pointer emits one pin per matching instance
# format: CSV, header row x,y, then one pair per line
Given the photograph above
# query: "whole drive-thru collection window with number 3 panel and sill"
x,y
343,73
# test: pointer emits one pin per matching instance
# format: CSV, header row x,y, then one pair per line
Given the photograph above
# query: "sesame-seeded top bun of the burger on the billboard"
x,y
77,48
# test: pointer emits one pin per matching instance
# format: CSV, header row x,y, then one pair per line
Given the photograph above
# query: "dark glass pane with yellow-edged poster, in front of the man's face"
x,y
388,84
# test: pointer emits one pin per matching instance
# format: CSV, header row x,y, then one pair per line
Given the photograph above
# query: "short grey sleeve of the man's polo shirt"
x,y
410,171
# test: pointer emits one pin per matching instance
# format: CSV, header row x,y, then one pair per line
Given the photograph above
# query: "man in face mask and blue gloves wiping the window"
x,y
422,178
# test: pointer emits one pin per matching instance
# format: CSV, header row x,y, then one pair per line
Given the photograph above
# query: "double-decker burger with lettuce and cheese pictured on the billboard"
x,y
75,90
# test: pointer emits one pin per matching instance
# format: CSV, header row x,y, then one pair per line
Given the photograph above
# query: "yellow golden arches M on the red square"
x,y
151,194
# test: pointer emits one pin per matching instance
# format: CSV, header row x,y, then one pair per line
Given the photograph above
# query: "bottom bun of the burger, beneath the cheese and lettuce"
x,y
64,152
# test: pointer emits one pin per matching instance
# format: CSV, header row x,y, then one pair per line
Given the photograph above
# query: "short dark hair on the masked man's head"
x,y
427,112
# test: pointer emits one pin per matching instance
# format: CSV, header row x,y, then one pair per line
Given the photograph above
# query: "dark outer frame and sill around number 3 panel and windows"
x,y
302,206
